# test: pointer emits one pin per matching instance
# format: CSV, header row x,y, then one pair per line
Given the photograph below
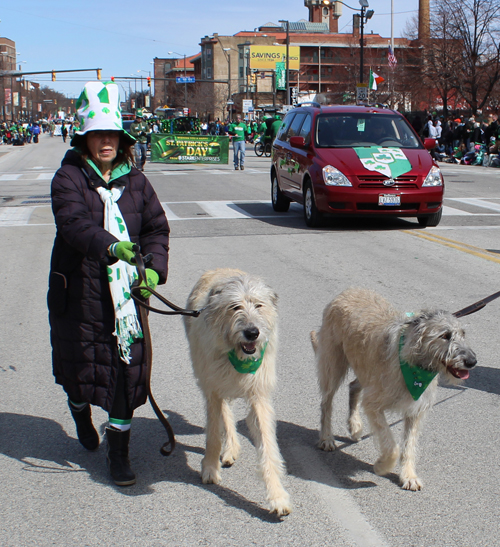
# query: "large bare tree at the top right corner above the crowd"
x,y
476,67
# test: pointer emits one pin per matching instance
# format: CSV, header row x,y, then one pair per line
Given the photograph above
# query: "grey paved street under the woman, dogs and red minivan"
x,y
55,493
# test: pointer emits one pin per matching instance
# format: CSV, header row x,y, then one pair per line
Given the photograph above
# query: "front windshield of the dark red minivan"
x,y
366,129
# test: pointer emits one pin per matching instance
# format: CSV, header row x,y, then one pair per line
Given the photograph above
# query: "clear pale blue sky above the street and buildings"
x,y
123,37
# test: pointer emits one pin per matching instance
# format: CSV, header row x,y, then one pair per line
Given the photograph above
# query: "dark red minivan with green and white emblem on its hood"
x,y
354,160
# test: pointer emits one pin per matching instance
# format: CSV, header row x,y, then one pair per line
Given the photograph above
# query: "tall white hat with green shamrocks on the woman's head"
x,y
98,109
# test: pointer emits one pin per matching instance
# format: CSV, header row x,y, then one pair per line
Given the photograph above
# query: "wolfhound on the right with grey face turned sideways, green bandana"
x,y
394,356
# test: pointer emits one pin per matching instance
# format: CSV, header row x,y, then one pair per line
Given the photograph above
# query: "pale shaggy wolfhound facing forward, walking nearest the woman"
x,y
233,350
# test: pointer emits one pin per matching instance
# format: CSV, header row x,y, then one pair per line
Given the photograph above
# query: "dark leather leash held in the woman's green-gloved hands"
x,y
169,446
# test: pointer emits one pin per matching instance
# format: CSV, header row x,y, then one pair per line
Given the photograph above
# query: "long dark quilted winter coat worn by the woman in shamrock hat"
x,y
81,316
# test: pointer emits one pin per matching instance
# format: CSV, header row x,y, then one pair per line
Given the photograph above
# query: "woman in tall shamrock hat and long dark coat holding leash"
x,y
102,207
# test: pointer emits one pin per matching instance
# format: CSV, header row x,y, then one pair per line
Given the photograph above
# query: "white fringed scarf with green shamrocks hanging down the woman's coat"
x,y
120,275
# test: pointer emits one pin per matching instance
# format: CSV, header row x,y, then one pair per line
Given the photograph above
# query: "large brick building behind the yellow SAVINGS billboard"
x,y
329,64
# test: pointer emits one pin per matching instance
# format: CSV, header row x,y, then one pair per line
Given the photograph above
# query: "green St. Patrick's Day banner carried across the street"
x,y
187,148
